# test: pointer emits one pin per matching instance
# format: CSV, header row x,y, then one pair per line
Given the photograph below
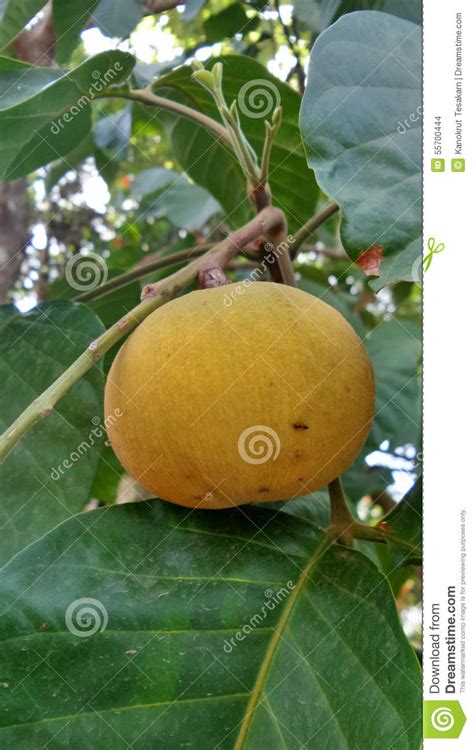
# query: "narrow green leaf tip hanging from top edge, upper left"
x,y
69,19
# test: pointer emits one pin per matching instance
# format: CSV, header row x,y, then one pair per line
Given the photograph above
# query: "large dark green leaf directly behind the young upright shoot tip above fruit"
x,y
211,165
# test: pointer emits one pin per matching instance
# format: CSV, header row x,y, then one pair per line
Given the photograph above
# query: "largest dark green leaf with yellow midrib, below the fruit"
x,y
320,659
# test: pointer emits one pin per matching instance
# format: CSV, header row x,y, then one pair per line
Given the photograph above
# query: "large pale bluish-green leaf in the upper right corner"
x,y
352,123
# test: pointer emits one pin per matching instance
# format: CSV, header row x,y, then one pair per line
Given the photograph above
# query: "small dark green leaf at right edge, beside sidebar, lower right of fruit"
x,y
405,521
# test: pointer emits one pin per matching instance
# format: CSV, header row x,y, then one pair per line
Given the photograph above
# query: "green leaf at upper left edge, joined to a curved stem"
x,y
53,112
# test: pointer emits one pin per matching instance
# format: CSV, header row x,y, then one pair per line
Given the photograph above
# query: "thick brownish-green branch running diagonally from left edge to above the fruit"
x,y
270,220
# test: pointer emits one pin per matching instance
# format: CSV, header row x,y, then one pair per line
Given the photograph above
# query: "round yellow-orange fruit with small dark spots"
x,y
209,368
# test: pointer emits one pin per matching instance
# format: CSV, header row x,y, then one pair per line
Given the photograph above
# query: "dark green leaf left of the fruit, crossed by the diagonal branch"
x,y
35,349
